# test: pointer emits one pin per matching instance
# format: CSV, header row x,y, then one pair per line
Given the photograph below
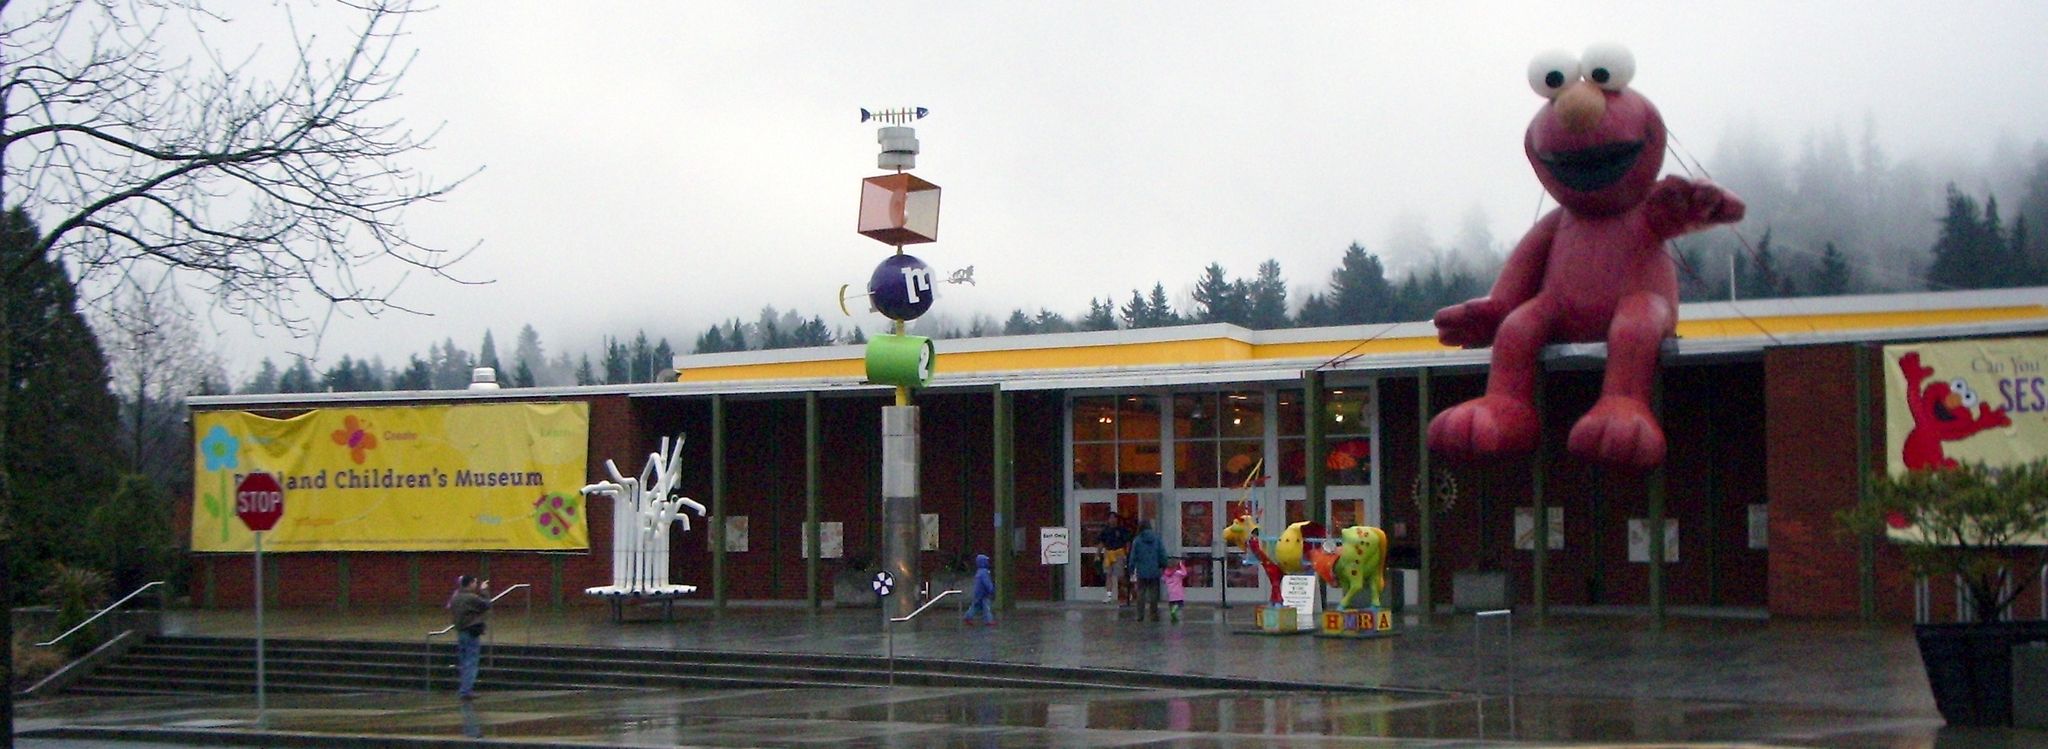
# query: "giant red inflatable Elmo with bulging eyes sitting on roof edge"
x,y
1594,269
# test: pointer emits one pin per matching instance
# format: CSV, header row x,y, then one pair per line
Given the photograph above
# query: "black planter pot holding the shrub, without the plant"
x,y
1971,668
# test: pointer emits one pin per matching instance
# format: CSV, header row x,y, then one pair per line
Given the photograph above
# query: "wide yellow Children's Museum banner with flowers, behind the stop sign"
x,y
431,478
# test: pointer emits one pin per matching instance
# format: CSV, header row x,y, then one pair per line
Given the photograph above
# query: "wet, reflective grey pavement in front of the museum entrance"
x,y
1453,680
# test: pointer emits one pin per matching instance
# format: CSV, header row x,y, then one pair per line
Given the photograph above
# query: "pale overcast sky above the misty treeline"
x,y
667,165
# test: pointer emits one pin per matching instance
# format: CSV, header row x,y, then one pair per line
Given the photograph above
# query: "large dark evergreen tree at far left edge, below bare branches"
x,y
65,418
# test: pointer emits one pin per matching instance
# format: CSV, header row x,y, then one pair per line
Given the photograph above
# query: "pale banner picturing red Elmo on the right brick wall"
x,y
1965,402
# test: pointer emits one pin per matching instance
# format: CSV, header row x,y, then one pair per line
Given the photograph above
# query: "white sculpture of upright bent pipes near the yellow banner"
x,y
642,513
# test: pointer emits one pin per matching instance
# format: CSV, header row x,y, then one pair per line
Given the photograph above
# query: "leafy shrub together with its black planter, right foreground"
x,y
1986,529
